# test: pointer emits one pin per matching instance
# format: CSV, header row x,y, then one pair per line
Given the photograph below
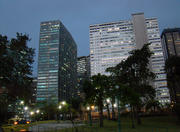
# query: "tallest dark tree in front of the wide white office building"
x,y
135,75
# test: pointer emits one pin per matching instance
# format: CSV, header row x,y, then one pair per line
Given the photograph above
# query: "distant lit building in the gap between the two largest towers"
x,y
83,71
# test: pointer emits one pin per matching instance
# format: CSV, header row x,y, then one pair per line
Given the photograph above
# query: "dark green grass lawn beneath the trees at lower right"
x,y
149,124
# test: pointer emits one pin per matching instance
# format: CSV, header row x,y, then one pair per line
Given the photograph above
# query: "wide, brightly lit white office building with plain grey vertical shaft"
x,y
110,43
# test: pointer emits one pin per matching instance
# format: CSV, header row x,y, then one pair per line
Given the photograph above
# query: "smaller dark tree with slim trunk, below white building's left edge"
x,y
95,92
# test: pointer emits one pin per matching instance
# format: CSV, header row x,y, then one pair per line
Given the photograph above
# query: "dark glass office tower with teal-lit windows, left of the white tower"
x,y
57,63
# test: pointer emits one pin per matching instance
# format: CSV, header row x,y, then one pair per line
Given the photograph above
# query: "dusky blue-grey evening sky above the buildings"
x,y
24,16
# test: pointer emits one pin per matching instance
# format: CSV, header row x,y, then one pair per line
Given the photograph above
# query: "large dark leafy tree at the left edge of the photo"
x,y
16,60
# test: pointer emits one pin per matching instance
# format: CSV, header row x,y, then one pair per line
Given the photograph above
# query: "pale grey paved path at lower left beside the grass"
x,y
51,127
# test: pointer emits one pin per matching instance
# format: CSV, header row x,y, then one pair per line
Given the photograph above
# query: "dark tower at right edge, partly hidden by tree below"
x,y
171,42
